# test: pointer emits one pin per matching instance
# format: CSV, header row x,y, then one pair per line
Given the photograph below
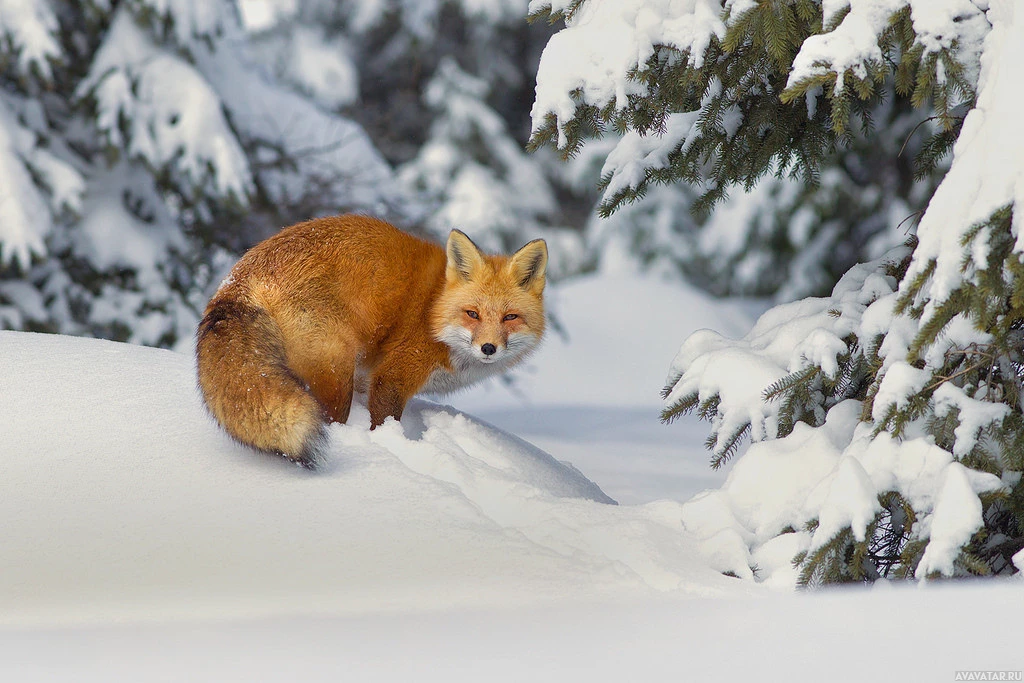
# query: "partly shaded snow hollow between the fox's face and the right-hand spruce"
x,y
592,395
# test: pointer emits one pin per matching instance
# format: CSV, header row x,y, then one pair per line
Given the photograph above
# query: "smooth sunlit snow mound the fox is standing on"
x,y
124,501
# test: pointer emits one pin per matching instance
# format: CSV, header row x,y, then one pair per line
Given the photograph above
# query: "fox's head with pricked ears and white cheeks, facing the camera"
x,y
492,309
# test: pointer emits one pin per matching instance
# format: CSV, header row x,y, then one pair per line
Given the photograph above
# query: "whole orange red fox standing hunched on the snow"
x,y
352,302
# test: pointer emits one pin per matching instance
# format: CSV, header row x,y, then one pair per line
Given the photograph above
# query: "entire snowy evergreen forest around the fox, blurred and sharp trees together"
x,y
747,149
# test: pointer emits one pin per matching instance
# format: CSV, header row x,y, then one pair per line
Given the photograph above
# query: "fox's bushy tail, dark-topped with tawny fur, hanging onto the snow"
x,y
250,390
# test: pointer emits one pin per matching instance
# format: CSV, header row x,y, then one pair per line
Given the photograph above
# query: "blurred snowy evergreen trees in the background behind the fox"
x,y
147,144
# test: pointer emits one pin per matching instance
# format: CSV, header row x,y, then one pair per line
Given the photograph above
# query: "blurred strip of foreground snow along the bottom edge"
x,y
785,639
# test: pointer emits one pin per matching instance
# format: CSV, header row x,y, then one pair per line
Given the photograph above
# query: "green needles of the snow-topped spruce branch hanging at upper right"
x,y
751,122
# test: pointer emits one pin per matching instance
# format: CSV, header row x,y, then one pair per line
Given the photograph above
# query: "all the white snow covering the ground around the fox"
x,y
140,543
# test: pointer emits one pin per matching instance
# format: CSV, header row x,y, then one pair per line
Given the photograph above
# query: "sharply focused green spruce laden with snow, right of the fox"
x,y
886,418
